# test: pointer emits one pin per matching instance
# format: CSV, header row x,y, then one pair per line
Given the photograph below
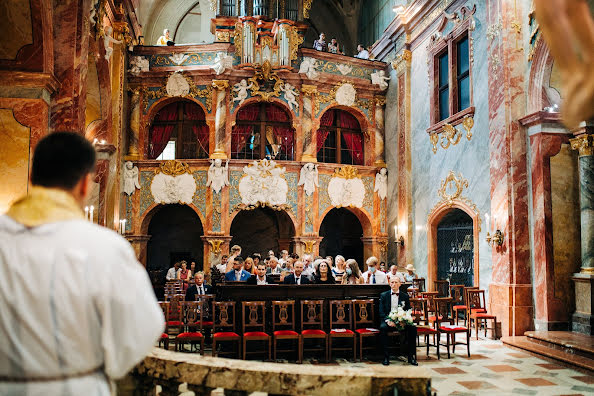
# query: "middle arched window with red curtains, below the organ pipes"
x,y
262,130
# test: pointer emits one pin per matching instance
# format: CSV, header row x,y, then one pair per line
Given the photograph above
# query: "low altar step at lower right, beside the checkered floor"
x,y
573,349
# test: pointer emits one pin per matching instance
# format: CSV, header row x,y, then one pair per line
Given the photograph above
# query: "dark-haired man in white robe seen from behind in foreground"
x,y
91,313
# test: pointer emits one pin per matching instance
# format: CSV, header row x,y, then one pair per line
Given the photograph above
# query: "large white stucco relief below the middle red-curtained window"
x,y
263,183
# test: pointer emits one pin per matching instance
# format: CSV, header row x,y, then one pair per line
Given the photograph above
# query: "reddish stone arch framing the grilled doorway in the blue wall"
x,y
435,217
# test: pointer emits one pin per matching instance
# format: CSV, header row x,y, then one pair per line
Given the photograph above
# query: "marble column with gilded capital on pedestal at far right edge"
x,y
583,318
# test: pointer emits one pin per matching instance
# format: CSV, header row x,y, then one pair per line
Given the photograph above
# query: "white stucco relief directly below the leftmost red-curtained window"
x,y
173,189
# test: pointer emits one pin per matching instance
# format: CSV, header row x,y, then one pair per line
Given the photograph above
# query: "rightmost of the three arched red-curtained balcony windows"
x,y
340,139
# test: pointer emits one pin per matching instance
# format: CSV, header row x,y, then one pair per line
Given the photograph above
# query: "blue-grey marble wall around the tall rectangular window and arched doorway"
x,y
470,158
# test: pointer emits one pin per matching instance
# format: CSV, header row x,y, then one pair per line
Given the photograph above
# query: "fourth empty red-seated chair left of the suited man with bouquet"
x,y
283,327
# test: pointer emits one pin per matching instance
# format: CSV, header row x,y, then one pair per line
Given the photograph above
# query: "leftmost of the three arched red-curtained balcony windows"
x,y
179,131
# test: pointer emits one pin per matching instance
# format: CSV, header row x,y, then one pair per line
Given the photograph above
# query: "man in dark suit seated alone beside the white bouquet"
x,y
389,301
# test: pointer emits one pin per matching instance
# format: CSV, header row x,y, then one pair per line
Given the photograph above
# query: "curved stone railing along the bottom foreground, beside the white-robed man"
x,y
239,377
